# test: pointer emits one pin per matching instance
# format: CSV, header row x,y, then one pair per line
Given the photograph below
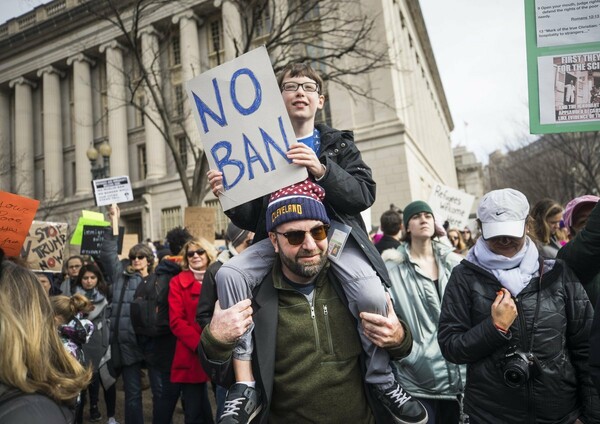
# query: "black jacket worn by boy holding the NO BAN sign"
x,y
349,190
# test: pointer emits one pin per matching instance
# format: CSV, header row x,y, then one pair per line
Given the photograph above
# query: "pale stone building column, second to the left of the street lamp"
x,y
53,148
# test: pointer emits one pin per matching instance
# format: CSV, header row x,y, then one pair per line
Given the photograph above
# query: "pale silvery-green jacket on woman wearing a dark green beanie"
x,y
418,300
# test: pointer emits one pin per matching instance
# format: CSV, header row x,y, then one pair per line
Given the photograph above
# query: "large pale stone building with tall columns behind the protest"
x,y
63,76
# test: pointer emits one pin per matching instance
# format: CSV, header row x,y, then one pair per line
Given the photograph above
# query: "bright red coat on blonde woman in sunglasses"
x,y
184,293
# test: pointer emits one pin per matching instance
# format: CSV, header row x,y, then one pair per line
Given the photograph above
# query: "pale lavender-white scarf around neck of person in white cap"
x,y
513,273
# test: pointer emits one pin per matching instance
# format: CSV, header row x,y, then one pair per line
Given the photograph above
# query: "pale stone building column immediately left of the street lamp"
x,y
83,120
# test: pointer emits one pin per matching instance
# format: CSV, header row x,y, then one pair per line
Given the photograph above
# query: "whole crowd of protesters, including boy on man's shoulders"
x,y
490,323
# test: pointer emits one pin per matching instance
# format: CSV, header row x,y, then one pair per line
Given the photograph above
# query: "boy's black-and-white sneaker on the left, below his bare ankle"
x,y
242,404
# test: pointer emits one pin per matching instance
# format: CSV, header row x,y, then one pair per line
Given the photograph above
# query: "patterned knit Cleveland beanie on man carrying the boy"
x,y
302,200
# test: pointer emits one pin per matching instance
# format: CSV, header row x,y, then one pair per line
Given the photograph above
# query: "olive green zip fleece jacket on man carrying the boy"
x,y
316,375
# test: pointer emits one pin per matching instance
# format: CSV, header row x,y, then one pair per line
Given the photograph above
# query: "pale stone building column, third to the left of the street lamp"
x,y
24,171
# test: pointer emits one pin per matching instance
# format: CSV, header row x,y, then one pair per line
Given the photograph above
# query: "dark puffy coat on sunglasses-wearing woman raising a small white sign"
x,y
123,285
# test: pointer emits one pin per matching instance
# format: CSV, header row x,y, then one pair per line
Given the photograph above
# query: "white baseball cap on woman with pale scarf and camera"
x,y
503,213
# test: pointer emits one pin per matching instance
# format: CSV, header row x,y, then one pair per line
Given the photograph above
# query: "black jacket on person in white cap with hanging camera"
x,y
563,391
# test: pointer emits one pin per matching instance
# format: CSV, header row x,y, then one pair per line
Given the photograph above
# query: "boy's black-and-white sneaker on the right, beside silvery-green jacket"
x,y
401,406
